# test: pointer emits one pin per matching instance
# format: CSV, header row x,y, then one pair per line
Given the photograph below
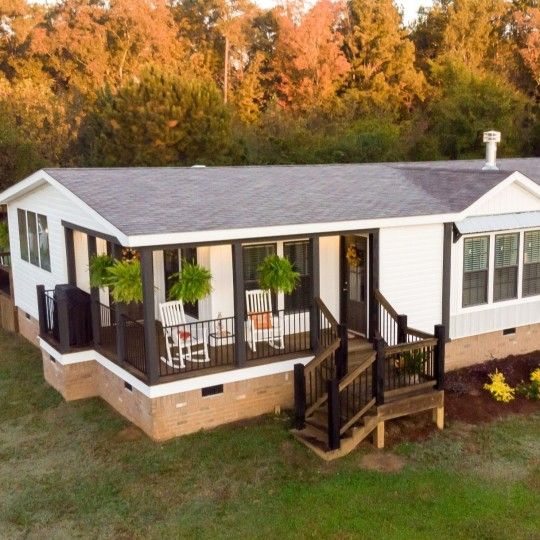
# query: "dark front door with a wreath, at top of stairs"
x,y
355,283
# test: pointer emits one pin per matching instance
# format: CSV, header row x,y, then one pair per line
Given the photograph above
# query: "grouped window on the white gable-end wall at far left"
x,y
34,239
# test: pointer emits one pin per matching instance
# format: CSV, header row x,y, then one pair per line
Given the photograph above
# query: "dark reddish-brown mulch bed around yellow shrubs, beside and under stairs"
x,y
466,401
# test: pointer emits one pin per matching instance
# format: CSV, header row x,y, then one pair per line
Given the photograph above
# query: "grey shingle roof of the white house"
x,y
142,201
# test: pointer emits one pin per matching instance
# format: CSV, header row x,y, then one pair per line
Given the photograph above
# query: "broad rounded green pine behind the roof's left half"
x,y
161,119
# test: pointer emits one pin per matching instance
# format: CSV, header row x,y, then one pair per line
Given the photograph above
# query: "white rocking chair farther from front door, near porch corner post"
x,y
183,336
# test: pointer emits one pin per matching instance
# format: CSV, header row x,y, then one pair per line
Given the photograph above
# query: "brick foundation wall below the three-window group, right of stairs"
x,y
475,349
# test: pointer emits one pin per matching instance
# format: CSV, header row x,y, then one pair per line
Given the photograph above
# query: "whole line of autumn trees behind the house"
x,y
180,82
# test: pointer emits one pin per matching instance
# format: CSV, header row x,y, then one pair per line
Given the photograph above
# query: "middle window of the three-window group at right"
x,y
506,266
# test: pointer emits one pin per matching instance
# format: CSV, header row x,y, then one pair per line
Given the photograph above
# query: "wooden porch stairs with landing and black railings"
x,y
336,394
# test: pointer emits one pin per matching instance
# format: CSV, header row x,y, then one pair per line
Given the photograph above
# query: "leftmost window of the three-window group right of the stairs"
x,y
475,270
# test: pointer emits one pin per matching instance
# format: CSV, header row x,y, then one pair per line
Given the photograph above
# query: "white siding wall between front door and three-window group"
x,y
410,272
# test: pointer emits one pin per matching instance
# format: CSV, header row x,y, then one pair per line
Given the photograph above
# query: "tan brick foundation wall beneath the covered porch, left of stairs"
x,y
177,414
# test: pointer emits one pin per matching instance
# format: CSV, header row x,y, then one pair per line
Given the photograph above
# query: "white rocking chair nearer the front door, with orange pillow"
x,y
261,324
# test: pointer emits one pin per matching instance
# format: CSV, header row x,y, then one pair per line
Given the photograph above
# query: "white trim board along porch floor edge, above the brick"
x,y
175,387
